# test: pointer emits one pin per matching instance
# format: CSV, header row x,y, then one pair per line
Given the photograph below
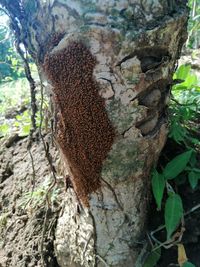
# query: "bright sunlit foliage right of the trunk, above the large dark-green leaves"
x,y
184,111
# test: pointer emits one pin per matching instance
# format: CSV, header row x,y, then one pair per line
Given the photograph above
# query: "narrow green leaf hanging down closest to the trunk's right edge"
x,y
158,185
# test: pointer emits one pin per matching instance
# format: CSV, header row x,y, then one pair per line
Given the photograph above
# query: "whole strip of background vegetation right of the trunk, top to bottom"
x,y
179,163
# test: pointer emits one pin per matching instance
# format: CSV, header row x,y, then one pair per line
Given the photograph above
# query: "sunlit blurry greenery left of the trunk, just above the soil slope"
x,y
15,108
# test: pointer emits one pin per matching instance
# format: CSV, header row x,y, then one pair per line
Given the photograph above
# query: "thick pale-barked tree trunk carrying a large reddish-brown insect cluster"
x,y
110,66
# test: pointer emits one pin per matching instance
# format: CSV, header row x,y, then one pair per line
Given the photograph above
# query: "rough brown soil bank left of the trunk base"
x,y
26,222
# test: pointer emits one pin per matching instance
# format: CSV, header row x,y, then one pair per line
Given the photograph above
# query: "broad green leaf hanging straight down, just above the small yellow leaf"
x,y
173,213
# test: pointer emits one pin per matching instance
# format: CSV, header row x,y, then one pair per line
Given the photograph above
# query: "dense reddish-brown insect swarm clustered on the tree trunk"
x,y
84,131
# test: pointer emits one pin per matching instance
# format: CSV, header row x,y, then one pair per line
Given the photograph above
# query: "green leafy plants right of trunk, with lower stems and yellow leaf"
x,y
184,125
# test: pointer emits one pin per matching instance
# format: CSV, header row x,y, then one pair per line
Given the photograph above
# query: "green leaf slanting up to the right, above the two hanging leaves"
x,y
177,165
